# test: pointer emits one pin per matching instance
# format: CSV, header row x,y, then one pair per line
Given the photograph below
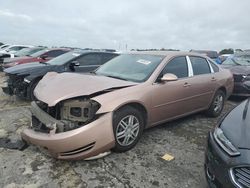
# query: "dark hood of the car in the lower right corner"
x,y
236,126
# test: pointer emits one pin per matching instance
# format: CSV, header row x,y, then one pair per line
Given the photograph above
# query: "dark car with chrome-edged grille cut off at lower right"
x,y
227,161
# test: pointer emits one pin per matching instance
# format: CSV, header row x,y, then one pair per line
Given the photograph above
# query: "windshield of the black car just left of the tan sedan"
x,y
60,60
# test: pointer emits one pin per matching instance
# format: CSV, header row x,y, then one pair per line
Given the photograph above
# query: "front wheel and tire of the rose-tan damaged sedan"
x,y
128,126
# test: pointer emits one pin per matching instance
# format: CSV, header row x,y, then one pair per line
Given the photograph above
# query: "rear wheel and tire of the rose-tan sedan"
x,y
217,104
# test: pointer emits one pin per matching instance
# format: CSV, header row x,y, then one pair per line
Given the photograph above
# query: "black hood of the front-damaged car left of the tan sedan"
x,y
29,68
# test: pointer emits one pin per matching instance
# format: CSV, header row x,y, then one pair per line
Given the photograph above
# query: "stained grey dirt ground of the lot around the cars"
x,y
185,139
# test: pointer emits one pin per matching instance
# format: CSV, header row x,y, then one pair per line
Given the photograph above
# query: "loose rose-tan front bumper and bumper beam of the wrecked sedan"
x,y
83,142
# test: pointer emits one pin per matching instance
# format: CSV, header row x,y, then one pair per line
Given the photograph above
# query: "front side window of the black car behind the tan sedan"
x,y
90,59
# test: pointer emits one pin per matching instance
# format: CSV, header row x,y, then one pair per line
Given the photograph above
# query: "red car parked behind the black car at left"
x,y
40,56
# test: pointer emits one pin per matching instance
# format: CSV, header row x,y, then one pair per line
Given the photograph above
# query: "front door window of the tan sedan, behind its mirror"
x,y
177,66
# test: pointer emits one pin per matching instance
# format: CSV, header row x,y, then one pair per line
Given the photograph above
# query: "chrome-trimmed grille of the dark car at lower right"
x,y
241,176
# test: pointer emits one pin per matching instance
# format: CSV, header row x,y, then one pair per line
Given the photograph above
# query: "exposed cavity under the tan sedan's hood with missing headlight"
x,y
65,116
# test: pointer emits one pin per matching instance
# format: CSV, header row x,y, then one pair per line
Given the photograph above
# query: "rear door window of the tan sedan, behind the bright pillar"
x,y
200,65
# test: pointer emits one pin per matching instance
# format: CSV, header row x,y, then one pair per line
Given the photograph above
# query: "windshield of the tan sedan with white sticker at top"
x,y
131,67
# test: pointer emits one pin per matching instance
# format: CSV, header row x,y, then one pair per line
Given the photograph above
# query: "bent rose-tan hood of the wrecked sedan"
x,y
55,87
